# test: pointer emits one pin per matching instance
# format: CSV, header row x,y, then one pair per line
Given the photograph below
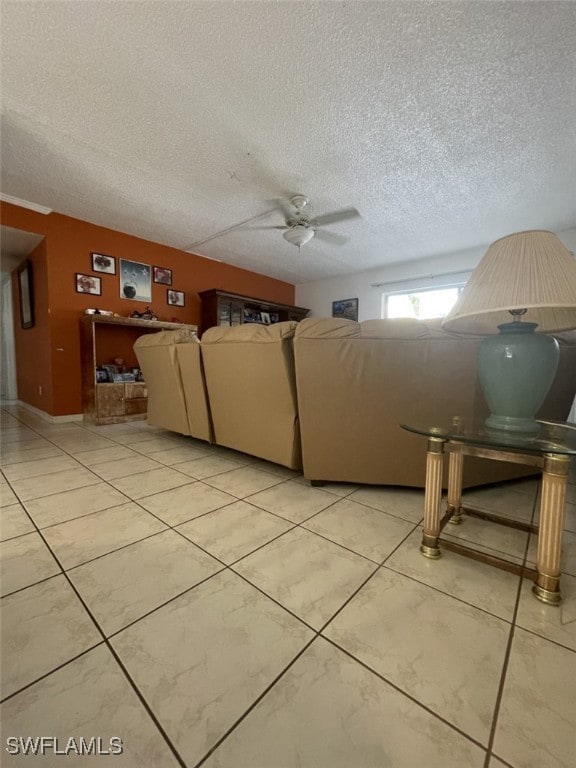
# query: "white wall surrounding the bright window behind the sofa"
x,y
319,294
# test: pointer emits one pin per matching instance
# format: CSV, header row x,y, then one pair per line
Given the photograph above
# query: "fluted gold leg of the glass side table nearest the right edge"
x,y
554,481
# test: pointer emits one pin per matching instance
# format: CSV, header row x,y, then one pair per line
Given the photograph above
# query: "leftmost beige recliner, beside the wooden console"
x,y
172,368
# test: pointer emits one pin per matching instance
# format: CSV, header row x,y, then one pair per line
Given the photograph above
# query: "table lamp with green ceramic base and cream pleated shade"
x,y
532,277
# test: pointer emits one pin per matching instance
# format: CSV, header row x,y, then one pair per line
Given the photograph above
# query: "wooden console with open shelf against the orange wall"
x,y
103,338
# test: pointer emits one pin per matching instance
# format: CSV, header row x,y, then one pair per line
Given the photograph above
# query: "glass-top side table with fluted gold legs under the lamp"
x,y
549,449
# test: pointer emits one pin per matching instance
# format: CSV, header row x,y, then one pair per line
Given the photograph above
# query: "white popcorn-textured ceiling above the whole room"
x,y
446,125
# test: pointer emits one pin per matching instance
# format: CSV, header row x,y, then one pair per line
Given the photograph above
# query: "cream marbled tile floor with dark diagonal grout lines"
x,y
212,609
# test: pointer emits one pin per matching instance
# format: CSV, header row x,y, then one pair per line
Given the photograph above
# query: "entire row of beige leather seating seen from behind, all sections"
x,y
329,394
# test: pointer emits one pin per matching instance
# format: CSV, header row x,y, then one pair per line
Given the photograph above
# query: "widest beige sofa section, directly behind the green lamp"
x,y
357,382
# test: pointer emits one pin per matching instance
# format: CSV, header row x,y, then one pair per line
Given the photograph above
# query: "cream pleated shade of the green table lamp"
x,y
529,270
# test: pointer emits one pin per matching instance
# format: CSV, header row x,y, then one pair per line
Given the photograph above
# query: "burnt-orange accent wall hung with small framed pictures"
x,y
48,355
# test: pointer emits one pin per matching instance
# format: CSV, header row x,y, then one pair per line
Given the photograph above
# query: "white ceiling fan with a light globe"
x,y
299,228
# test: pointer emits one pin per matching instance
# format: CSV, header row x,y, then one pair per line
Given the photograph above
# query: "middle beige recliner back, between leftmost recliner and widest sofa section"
x,y
252,390
